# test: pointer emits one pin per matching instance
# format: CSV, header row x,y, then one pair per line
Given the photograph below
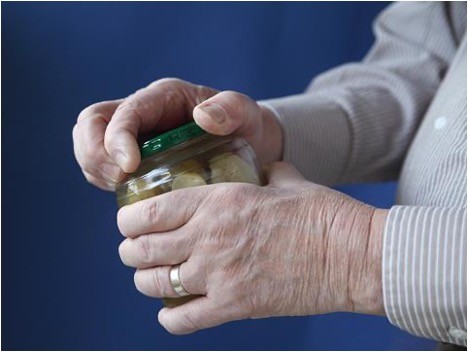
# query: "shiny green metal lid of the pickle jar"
x,y
170,139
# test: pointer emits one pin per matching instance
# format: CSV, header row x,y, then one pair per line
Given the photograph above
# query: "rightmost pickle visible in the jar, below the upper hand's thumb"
x,y
229,167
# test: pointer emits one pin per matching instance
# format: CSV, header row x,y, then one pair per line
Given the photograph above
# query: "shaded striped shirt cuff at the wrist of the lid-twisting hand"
x,y
316,135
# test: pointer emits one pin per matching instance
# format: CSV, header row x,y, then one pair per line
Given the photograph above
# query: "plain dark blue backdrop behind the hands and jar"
x,y
64,286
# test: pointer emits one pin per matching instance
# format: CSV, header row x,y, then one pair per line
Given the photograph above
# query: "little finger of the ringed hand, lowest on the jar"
x,y
201,313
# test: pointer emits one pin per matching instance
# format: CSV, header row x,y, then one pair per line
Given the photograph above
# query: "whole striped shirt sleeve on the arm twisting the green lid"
x,y
355,123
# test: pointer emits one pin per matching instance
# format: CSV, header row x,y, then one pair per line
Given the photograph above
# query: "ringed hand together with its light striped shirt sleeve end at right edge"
x,y
301,249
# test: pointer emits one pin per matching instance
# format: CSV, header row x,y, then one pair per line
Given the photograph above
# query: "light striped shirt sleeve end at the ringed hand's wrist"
x,y
424,271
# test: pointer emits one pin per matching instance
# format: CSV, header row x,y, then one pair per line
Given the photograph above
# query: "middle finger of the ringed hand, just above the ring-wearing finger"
x,y
152,250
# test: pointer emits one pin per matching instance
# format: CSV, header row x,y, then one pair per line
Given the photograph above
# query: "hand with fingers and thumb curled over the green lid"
x,y
105,135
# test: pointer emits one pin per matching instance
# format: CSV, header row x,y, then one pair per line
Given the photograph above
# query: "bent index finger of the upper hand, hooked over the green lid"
x,y
164,104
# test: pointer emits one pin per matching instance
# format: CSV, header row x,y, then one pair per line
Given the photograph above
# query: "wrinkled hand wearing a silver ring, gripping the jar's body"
x,y
289,248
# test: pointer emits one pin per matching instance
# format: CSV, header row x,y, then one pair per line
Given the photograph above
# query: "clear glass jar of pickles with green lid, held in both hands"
x,y
188,157
